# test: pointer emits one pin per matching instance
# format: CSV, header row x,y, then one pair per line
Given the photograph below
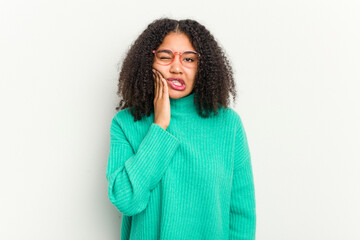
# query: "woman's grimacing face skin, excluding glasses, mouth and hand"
x,y
177,42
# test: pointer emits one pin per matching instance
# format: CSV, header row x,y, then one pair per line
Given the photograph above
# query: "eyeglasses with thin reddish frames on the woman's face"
x,y
189,59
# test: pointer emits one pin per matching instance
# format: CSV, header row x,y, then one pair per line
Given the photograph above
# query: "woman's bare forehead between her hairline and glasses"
x,y
176,42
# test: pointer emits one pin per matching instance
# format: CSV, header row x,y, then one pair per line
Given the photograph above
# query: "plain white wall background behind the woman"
x,y
296,65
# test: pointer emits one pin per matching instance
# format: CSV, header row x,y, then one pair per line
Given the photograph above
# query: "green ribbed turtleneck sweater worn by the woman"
x,y
191,181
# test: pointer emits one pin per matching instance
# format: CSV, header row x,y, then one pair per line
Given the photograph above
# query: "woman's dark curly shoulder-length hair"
x,y
213,81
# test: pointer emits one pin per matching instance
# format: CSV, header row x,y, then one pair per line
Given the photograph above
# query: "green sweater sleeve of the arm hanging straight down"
x,y
242,204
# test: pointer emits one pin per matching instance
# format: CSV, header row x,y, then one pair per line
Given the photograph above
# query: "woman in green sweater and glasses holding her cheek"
x,y
179,165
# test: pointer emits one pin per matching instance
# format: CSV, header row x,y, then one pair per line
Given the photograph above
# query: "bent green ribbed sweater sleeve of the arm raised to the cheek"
x,y
131,176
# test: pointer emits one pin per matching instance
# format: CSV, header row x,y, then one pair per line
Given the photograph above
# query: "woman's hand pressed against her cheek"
x,y
161,100
